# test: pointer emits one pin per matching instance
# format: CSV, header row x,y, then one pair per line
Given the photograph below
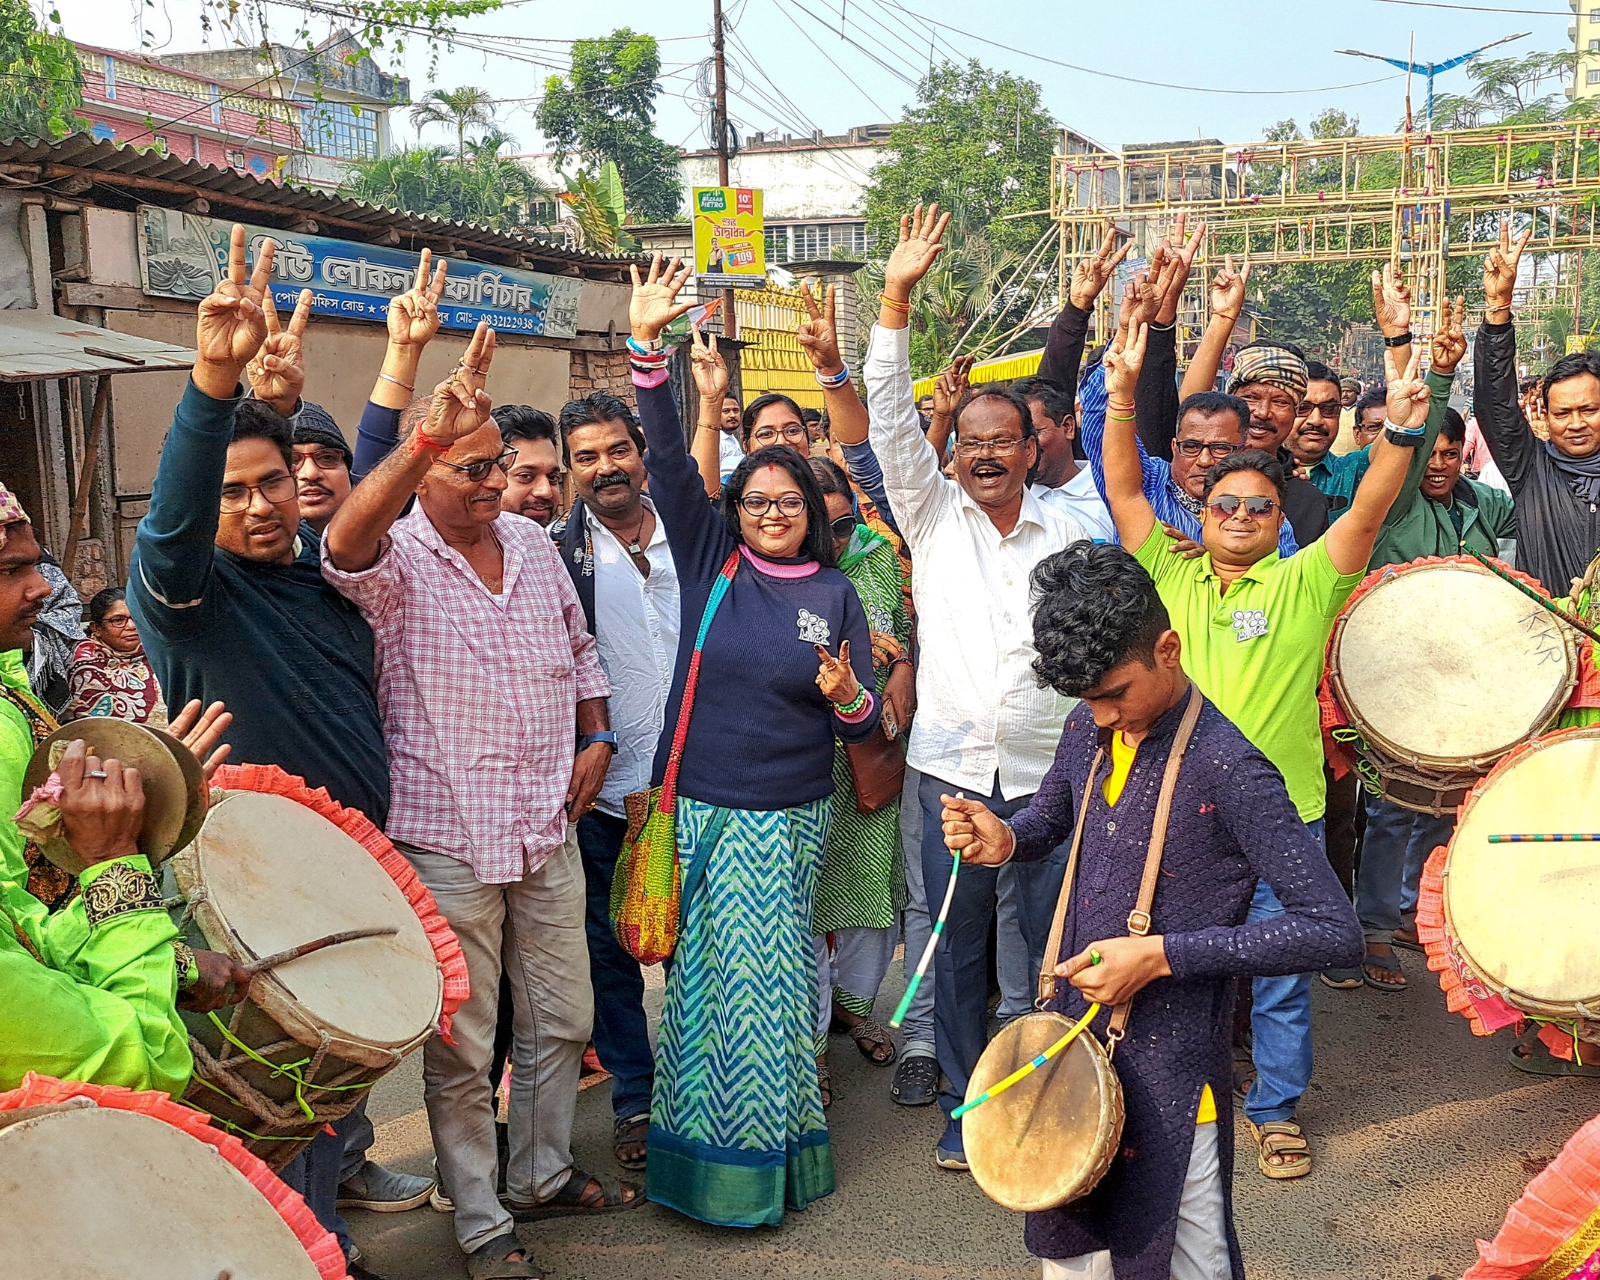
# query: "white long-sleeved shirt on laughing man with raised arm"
x,y
978,708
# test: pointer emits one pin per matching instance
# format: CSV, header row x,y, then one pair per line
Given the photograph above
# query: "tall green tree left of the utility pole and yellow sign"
x,y
606,110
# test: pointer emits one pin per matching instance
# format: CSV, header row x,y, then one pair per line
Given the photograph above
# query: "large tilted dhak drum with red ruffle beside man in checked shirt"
x,y
266,874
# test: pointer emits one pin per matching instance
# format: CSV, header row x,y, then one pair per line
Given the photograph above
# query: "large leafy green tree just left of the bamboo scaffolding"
x,y
980,143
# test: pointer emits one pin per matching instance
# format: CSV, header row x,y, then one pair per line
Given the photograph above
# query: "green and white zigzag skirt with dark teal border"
x,y
737,1127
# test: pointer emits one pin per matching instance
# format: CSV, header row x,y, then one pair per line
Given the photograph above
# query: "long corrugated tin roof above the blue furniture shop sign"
x,y
119,175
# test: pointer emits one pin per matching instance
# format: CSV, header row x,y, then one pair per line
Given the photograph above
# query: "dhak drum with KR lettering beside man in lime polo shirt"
x,y
1441,670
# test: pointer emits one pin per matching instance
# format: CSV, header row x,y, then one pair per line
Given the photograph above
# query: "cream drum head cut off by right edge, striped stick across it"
x,y
1524,916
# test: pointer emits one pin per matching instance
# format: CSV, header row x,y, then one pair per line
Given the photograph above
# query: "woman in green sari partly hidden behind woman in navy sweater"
x,y
863,884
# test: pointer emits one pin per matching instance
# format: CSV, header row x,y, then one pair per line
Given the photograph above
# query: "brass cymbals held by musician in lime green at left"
x,y
175,791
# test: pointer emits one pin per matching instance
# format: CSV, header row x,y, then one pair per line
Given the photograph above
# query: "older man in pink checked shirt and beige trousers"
x,y
487,679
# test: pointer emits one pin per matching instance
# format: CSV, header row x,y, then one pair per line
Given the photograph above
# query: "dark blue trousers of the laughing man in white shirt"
x,y
961,970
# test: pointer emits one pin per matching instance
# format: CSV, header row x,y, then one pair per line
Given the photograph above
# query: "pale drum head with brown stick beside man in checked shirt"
x,y
281,874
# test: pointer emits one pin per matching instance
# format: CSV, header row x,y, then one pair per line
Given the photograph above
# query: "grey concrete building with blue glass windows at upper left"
x,y
343,98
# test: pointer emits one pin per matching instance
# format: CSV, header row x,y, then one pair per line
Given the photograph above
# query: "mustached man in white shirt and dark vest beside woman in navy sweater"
x,y
617,553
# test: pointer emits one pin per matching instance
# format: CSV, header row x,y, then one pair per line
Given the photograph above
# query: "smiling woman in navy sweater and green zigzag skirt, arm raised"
x,y
737,1129
